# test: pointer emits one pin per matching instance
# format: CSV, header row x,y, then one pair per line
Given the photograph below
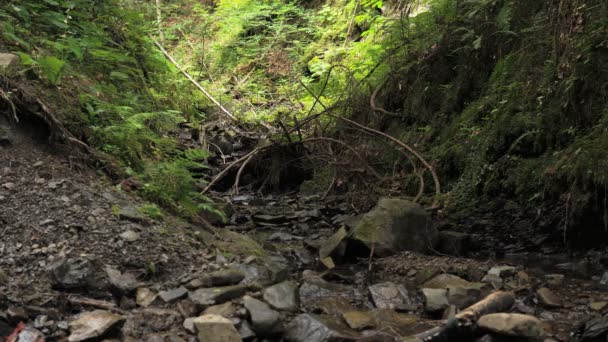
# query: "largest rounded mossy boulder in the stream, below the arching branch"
x,y
396,225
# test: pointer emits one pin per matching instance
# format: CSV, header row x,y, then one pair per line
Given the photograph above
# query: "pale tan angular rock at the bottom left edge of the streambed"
x,y
94,325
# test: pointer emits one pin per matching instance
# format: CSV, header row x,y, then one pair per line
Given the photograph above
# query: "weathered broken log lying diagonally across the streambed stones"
x,y
462,325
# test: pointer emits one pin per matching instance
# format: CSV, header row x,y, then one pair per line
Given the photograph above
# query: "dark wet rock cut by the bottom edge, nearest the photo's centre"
x,y
318,328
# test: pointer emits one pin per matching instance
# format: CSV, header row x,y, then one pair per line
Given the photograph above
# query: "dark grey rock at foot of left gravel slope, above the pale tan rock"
x,y
77,273
